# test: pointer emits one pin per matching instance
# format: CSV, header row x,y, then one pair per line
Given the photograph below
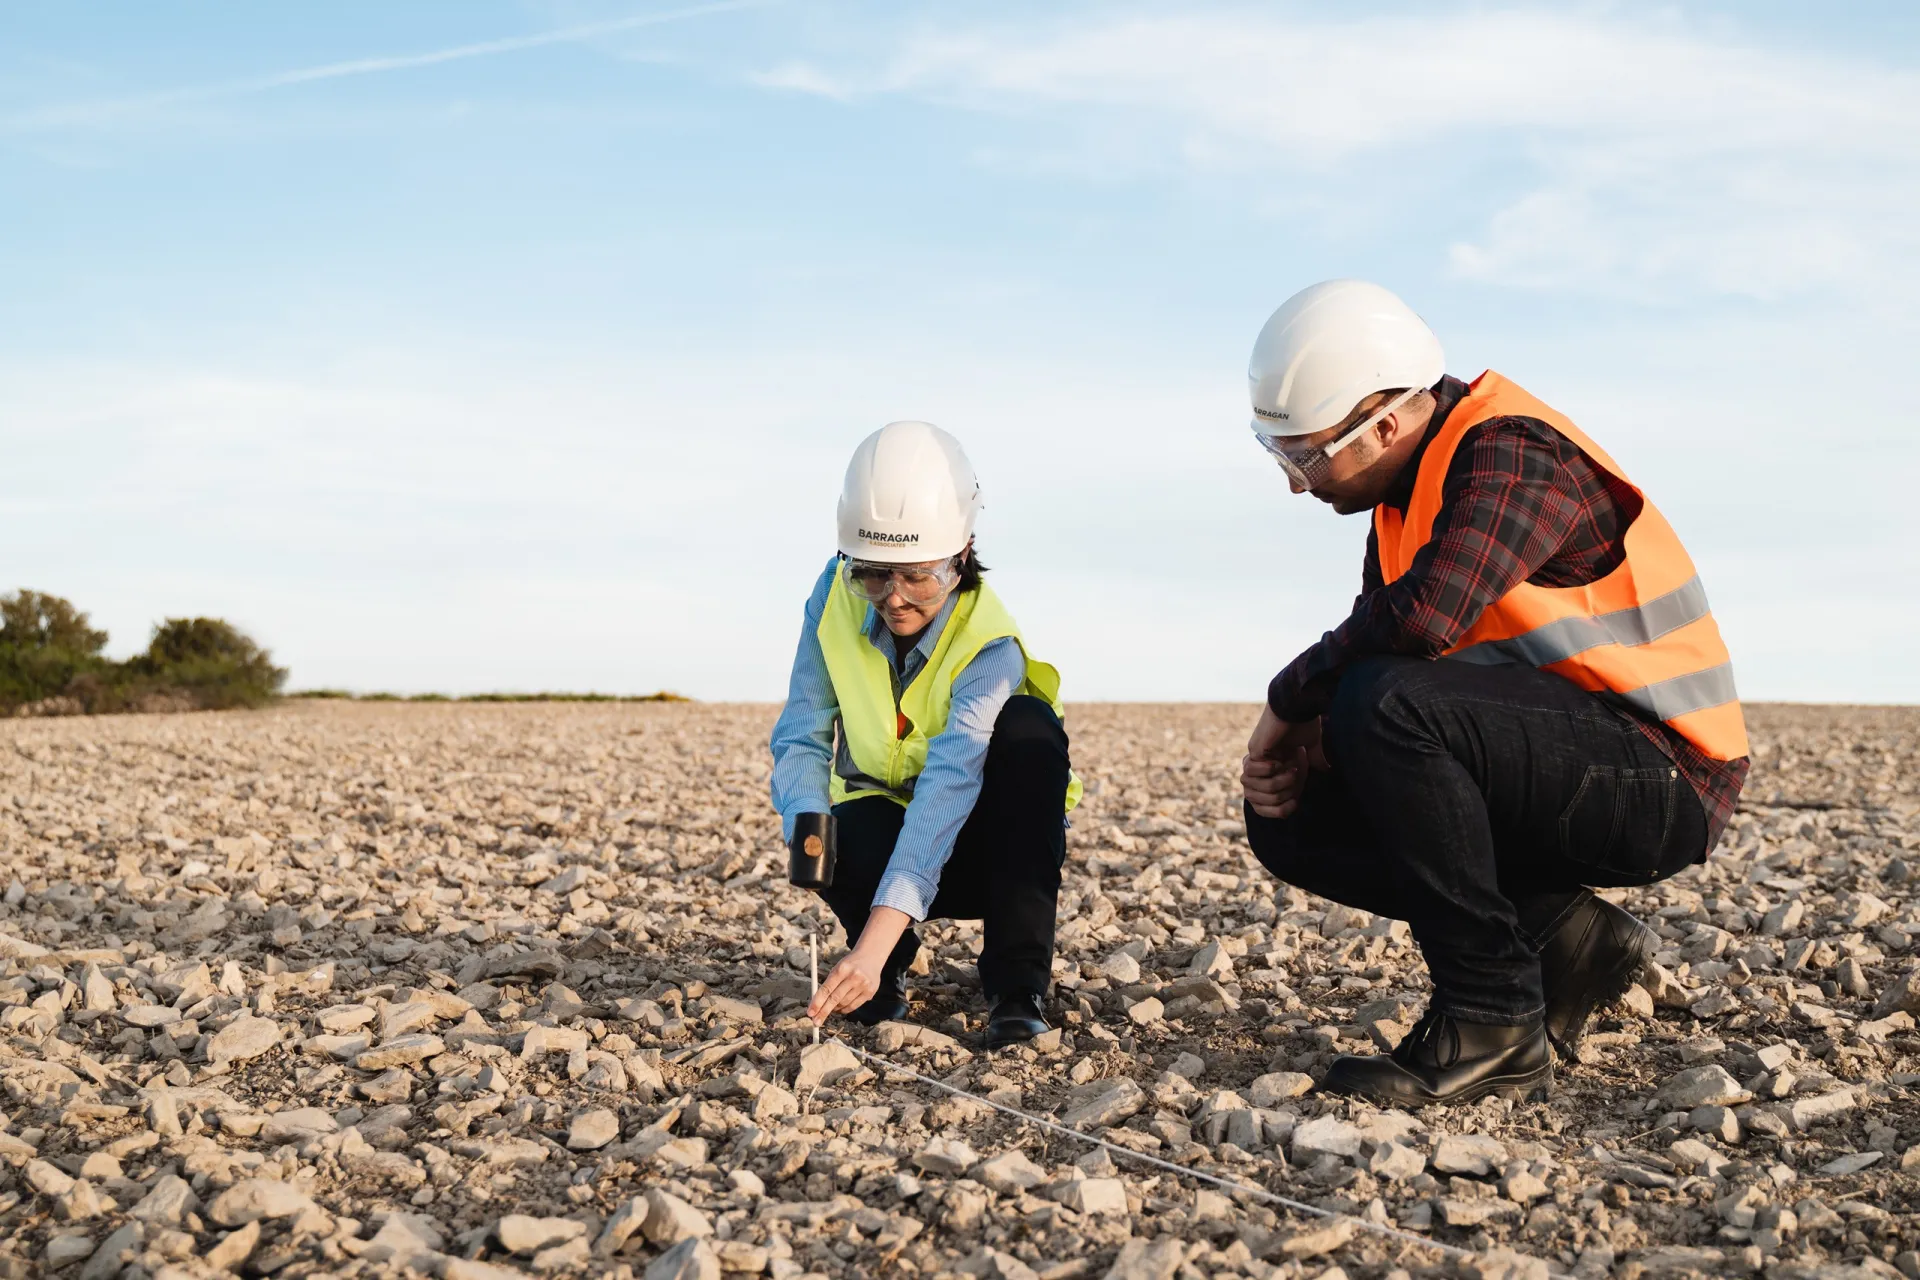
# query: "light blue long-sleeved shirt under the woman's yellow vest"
x,y
948,788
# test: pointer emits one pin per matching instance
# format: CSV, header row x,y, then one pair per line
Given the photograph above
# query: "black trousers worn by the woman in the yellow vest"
x,y
1005,868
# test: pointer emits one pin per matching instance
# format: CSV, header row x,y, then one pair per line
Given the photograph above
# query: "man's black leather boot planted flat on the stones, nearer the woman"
x,y
1447,1060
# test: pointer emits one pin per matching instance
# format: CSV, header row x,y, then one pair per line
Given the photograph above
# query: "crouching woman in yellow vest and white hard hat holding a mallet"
x,y
921,767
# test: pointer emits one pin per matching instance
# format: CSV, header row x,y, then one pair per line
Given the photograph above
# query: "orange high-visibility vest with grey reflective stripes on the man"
x,y
1641,636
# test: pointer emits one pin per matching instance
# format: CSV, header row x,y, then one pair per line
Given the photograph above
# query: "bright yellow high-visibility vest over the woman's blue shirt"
x,y
886,740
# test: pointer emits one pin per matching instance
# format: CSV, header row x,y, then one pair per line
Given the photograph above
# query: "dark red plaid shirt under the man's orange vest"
x,y
1522,504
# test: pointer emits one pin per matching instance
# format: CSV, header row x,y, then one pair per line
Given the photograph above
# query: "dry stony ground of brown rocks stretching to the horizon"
x,y
473,991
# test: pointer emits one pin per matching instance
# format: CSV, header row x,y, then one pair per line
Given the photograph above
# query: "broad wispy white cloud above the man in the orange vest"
x,y
1641,158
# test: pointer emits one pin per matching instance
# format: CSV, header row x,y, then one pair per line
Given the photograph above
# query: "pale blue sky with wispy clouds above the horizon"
x,y
512,346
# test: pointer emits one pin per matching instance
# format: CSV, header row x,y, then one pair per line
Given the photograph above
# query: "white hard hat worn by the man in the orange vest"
x,y
1328,348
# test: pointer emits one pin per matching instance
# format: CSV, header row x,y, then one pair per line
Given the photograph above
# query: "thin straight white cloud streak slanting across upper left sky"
x,y
114,108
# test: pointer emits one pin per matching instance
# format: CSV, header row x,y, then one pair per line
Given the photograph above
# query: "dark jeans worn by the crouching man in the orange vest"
x,y
1474,803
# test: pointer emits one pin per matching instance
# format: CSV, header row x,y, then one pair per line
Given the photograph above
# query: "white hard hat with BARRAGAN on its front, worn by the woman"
x,y
911,496
